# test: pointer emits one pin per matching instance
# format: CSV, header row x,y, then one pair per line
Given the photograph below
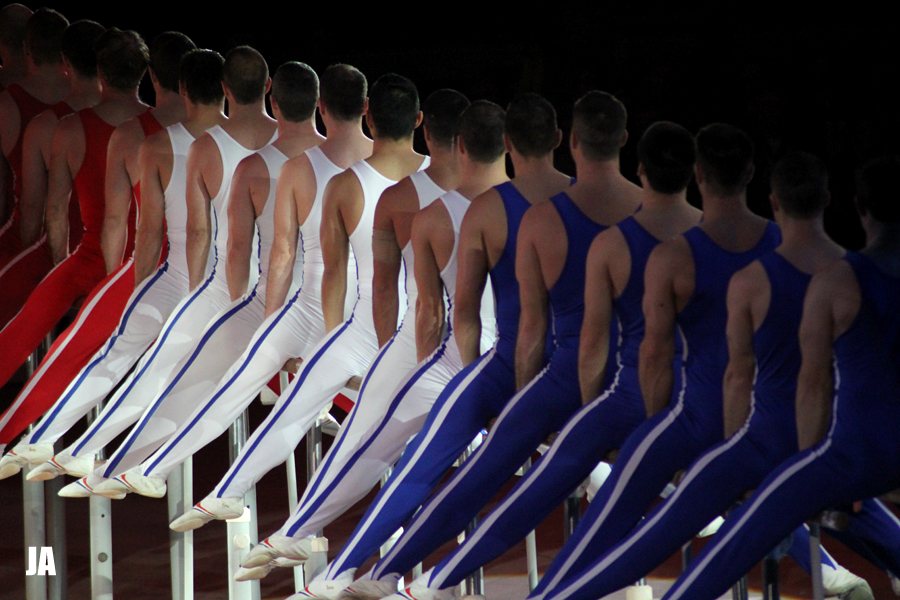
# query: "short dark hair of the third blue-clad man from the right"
x,y
725,155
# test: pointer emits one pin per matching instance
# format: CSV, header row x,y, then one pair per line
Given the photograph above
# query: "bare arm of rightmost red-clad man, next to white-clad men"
x,y
119,190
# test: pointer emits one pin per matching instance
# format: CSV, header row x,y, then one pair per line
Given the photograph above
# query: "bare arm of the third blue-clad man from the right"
x,y
658,347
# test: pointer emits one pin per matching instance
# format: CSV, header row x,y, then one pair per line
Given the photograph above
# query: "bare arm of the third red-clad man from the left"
x,y
36,150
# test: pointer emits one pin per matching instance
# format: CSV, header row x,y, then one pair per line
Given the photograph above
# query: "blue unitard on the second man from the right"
x,y
720,477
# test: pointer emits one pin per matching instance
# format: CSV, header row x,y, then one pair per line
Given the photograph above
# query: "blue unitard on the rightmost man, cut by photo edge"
x,y
859,457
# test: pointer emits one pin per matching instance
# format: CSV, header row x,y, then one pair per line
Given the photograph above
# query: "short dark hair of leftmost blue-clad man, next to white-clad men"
x,y
531,125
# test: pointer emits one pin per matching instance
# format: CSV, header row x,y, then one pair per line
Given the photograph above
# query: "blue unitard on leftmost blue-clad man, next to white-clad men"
x,y
474,396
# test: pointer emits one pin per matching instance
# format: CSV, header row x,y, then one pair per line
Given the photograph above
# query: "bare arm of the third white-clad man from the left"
x,y
241,226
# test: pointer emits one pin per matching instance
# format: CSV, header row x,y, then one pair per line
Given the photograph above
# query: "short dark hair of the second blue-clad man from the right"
x,y
800,182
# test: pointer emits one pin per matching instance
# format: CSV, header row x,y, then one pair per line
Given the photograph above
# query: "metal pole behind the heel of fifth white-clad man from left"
x,y
241,532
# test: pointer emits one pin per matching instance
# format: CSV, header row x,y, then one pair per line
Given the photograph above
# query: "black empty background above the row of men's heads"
x,y
795,78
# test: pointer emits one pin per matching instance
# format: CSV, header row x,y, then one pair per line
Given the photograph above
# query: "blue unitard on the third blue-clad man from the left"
x,y
596,429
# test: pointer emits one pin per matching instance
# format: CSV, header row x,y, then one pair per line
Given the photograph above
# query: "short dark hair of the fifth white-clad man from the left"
x,y
394,106
